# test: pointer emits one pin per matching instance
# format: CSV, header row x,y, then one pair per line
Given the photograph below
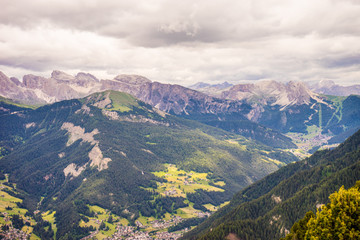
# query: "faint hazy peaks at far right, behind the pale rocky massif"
x,y
329,87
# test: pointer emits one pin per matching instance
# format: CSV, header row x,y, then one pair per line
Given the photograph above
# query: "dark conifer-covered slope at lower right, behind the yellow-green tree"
x,y
268,208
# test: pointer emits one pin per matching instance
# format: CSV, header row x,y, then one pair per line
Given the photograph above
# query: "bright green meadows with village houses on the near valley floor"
x,y
177,183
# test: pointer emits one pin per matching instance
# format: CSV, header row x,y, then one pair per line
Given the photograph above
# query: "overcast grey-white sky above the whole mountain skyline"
x,y
184,41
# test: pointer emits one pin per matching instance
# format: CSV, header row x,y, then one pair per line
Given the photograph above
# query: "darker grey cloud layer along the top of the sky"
x,y
170,22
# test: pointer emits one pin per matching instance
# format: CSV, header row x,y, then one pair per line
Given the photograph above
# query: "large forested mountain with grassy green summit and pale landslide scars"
x,y
115,152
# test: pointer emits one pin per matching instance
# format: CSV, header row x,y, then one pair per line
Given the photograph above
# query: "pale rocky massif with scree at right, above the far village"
x,y
268,95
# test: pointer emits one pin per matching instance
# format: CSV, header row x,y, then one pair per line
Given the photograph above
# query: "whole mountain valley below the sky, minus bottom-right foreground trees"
x,y
128,158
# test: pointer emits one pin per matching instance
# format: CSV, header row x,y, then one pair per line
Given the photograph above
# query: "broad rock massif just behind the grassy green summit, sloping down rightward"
x,y
170,98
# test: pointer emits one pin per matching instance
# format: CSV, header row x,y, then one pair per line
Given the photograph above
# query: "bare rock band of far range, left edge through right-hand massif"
x,y
245,99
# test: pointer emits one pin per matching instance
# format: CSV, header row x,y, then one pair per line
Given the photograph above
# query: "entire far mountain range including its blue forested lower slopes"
x,y
273,113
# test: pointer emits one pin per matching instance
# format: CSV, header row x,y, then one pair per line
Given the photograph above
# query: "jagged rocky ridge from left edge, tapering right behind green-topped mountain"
x,y
166,97
